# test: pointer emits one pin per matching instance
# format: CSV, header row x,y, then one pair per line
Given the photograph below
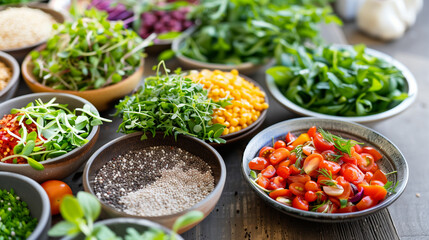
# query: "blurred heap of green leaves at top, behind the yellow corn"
x,y
237,31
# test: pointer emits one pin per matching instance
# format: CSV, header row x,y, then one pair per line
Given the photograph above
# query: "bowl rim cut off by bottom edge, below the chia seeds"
x,y
120,225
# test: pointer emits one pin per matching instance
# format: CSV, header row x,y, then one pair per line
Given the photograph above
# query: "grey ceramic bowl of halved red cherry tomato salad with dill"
x,y
324,170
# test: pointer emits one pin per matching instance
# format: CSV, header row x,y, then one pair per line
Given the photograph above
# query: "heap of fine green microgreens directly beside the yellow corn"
x,y
172,104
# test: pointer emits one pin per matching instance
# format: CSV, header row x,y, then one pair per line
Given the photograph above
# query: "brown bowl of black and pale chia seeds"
x,y
158,179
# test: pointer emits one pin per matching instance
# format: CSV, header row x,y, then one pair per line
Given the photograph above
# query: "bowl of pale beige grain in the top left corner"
x,y
26,26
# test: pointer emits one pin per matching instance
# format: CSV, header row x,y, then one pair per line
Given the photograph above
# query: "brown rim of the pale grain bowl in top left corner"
x,y
35,5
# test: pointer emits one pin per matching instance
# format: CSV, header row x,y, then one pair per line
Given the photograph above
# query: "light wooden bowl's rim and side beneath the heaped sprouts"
x,y
31,79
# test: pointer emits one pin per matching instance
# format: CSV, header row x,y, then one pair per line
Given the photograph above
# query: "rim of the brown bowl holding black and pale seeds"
x,y
218,188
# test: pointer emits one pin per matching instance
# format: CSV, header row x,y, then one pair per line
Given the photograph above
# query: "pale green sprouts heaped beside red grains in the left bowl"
x,y
59,130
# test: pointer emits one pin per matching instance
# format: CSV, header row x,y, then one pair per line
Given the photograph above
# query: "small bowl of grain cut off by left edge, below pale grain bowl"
x,y
9,76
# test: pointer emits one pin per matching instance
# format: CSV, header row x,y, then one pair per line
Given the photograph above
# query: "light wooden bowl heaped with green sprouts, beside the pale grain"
x,y
91,57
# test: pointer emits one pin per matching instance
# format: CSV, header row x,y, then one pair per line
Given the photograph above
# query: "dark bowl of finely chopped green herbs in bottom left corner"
x,y
24,208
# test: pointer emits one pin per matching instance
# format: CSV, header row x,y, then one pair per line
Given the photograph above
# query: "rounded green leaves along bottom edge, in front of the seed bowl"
x,y
80,214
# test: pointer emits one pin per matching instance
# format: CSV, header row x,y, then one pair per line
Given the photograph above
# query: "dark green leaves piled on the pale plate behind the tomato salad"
x,y
339,81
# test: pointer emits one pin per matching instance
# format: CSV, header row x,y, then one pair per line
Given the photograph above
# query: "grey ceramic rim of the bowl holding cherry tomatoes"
x,y
315,216
